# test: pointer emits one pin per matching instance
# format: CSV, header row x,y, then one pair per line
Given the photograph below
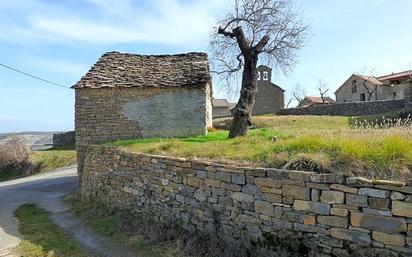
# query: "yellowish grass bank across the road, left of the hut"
x,y
43,161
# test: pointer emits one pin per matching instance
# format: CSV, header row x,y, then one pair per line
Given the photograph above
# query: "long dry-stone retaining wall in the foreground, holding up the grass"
x,y
330,211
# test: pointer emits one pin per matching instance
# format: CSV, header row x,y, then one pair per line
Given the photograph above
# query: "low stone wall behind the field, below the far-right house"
x,y
348,109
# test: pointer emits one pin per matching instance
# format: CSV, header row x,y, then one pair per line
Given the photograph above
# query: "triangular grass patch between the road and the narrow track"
x,y
42,237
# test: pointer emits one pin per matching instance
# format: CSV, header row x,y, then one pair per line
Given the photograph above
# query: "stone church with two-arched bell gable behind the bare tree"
x,y
270,97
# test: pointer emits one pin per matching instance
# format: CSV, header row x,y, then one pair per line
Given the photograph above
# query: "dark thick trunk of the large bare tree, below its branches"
x,y
243,110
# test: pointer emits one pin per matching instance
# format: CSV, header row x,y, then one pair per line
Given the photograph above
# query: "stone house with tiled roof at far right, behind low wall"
x,y
367,88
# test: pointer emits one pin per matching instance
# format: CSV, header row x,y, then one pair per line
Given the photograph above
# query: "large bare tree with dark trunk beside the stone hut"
x,y
270,29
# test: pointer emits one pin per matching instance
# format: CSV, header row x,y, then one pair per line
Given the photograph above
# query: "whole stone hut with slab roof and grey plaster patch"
x,y
125,96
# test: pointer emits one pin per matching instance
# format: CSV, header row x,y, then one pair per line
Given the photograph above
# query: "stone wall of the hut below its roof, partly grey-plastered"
x,y
107,114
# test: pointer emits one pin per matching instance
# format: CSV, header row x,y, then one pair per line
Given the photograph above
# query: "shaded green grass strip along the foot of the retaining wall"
x,y
137,232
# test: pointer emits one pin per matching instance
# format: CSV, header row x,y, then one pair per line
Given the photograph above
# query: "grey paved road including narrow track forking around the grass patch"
x,y
47,191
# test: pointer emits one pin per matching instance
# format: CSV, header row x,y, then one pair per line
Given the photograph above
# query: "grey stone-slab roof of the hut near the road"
x,y
115,69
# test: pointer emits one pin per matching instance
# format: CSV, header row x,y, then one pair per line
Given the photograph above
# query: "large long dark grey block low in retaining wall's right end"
x,y
390,225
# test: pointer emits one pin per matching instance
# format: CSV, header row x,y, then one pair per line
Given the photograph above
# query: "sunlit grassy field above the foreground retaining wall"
x,y
314,143
